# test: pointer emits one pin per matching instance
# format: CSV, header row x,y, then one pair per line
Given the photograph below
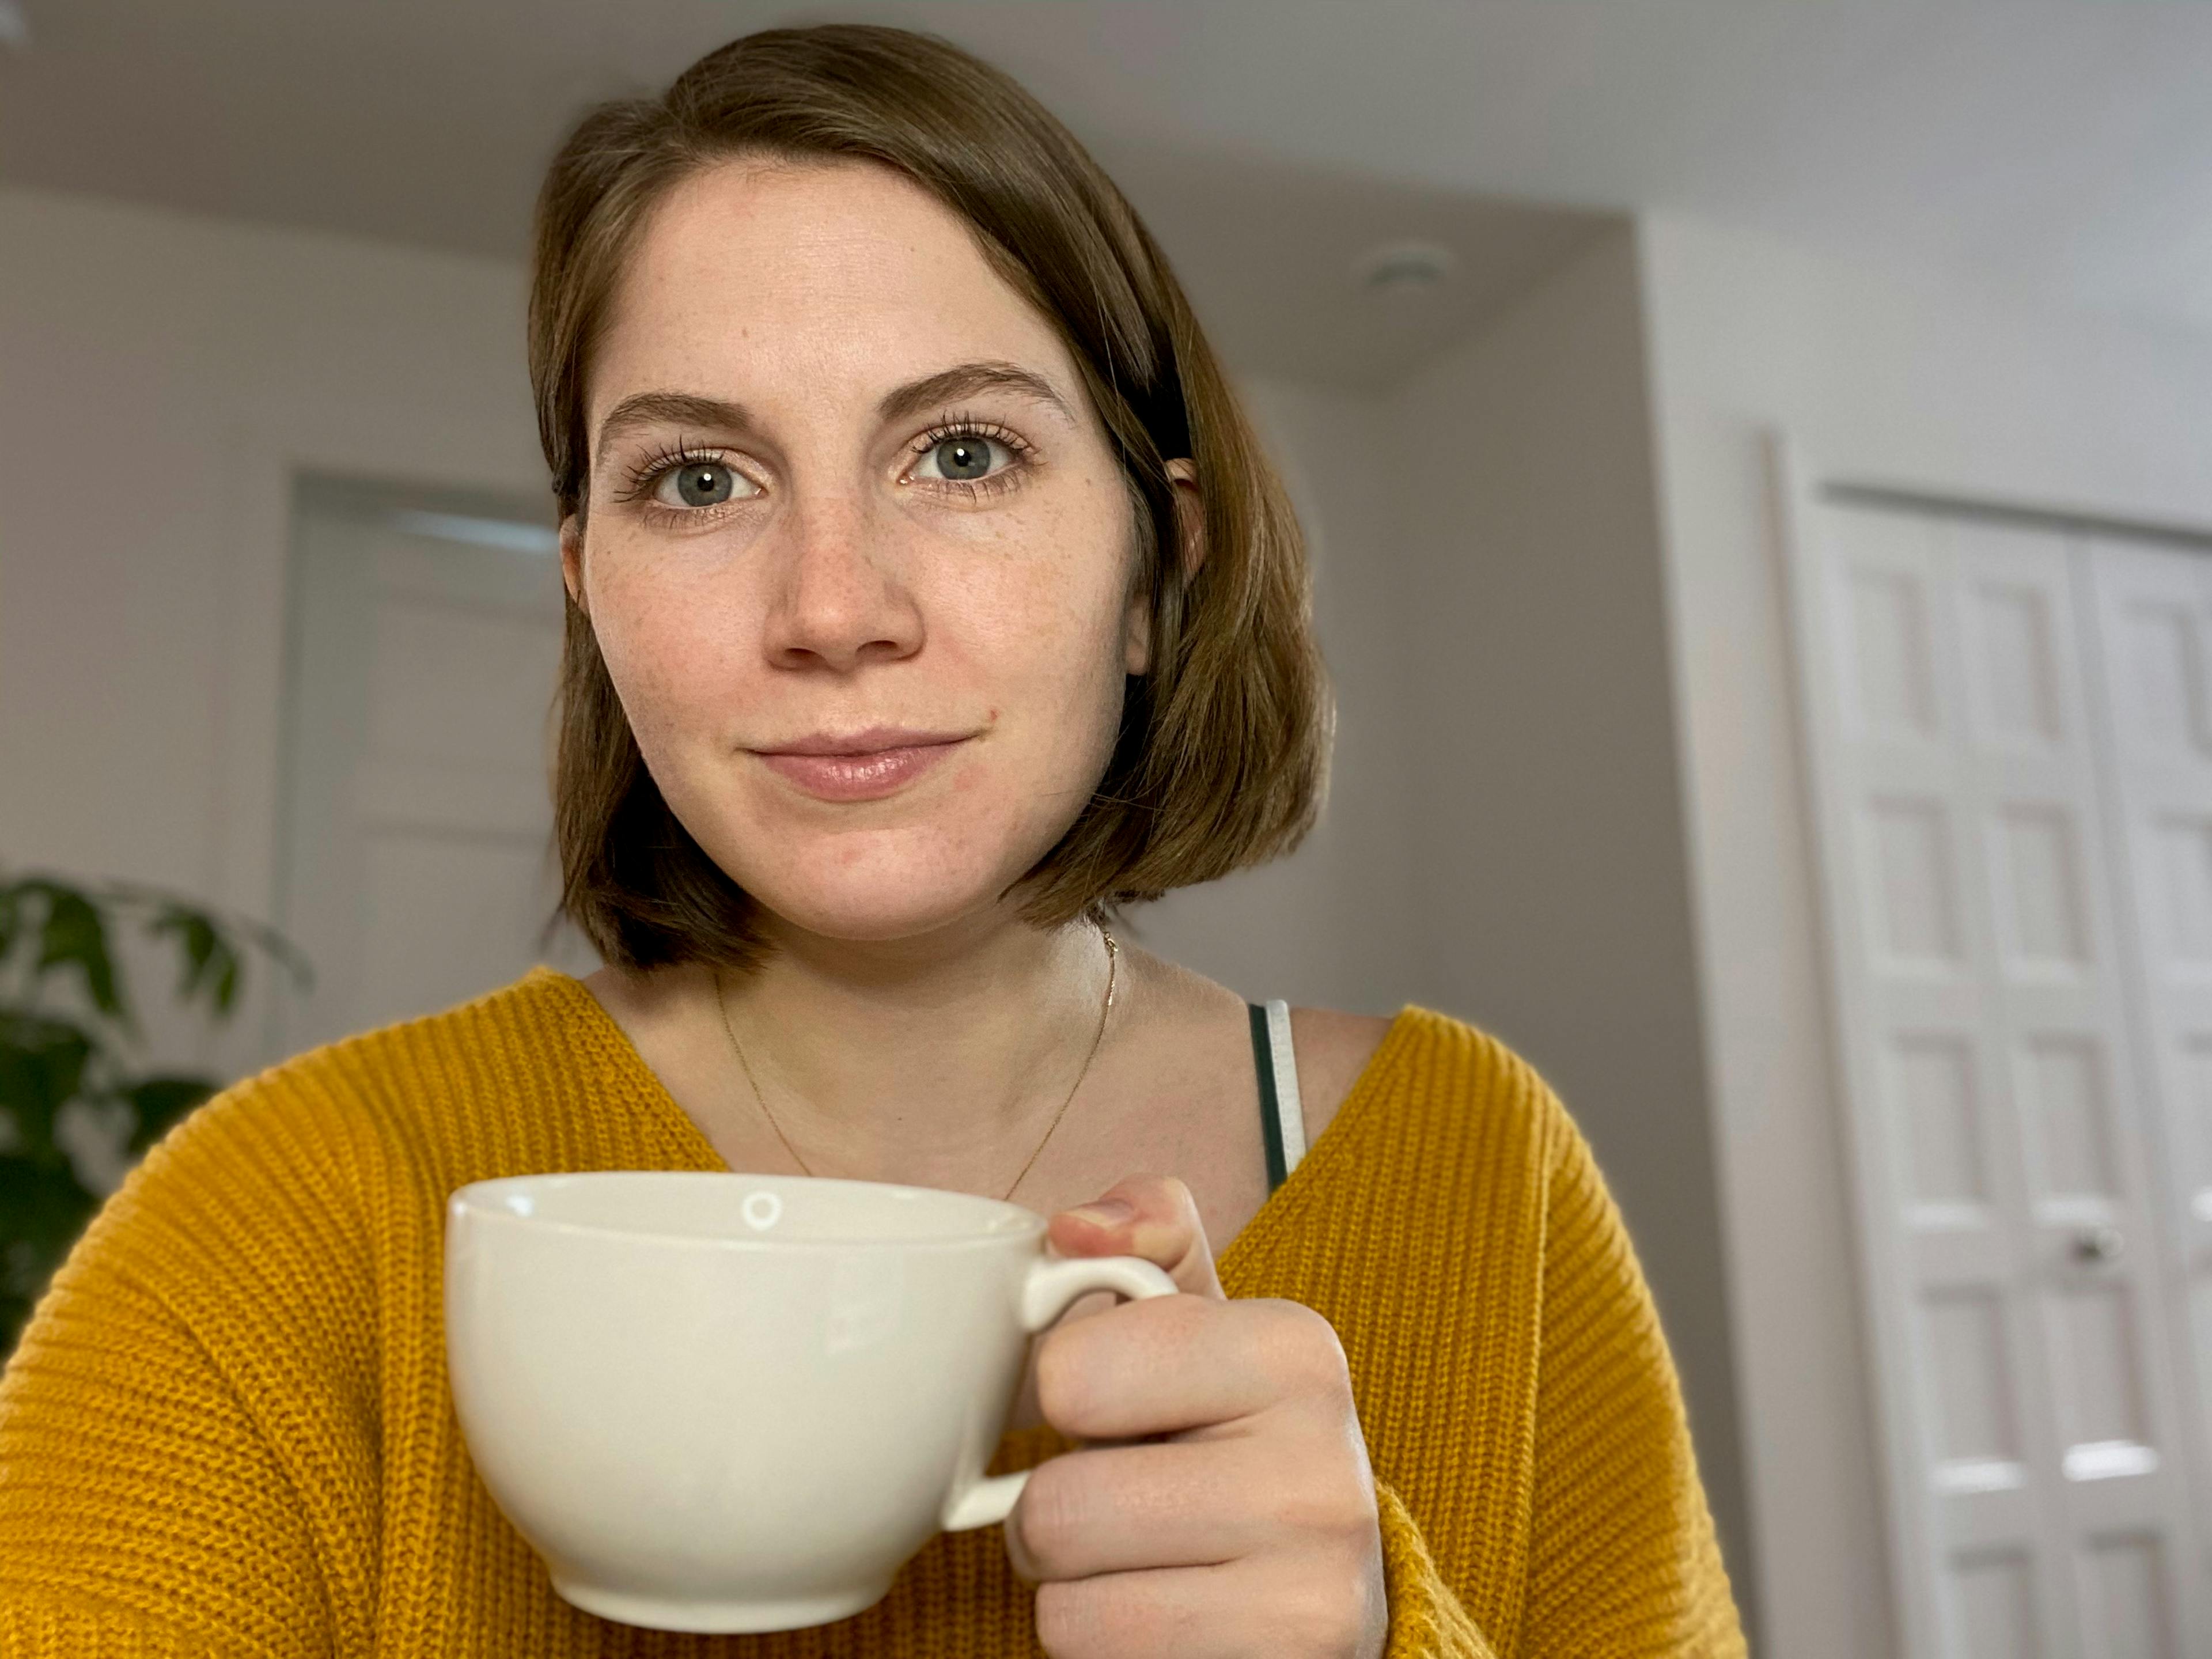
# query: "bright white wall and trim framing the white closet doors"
x,y
1877,377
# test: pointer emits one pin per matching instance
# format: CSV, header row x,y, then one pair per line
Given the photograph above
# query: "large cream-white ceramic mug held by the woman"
x,y
738,1401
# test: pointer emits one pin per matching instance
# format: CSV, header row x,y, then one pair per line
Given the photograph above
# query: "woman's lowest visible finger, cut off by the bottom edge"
x,y
1238,1611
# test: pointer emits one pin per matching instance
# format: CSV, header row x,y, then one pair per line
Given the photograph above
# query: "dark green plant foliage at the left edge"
x,y
70,1039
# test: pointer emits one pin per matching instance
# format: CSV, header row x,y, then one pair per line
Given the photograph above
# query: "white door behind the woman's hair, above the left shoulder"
x,y
417,766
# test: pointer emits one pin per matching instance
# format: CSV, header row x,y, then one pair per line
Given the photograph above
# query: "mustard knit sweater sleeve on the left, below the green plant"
x,y
178,1390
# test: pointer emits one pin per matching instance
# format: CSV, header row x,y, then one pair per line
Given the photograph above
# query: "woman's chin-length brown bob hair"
x,y
1224,744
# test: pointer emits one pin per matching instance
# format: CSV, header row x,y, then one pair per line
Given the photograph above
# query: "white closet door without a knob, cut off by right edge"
x,y
2156,649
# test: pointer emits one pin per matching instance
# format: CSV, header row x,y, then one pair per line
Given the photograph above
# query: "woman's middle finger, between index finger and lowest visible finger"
x,y
1196,1503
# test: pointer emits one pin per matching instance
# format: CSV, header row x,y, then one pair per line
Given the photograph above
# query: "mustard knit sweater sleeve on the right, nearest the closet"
x,y
1625,1563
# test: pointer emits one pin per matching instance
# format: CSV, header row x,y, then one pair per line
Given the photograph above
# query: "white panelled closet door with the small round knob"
x,y
2038,1485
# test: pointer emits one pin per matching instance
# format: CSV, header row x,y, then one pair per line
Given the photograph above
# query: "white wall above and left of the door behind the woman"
x,y
160,382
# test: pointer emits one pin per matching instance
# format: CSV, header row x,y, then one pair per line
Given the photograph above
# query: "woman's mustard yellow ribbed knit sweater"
x,y
227,1430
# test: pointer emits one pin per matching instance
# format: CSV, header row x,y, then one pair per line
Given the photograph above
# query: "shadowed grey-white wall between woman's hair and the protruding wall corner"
x,y
1550,839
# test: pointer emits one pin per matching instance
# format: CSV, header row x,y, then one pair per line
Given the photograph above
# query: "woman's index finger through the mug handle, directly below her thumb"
x,y
1185,1364
